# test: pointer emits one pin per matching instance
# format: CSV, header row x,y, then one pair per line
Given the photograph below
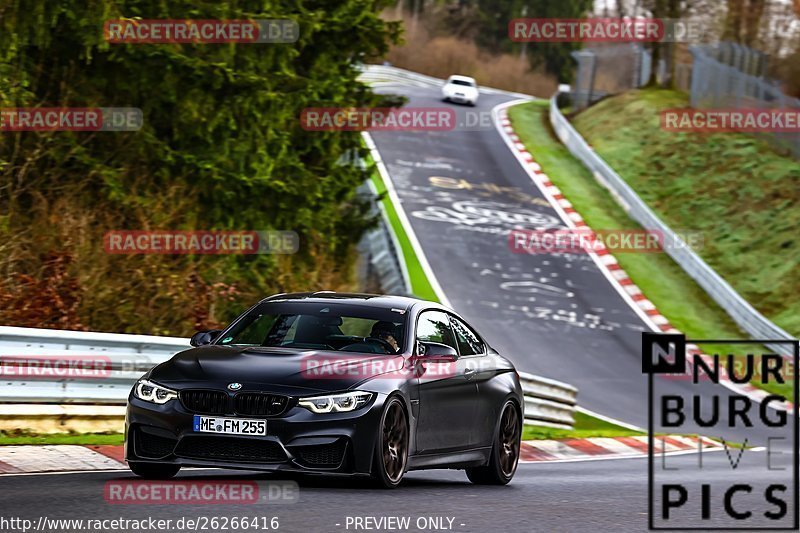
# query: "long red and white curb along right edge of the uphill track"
x,y
606,261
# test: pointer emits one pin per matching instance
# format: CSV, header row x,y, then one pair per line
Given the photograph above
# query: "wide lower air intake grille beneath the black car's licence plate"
x,y
231,449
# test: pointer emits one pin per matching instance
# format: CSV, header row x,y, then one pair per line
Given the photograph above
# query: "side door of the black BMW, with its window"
x,y
447,394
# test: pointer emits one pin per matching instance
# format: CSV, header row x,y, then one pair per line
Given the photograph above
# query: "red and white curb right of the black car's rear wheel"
x,y
535,451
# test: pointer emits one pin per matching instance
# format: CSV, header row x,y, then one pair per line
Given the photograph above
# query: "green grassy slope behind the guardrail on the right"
x,y
734,188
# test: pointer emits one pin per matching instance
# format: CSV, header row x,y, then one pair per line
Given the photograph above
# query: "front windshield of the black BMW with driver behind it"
x,y
320,326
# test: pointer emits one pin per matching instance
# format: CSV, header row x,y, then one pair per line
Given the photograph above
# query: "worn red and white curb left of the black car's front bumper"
x,y
59,458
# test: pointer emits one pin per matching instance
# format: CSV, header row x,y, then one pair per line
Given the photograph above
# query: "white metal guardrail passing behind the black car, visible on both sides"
x,y
27,388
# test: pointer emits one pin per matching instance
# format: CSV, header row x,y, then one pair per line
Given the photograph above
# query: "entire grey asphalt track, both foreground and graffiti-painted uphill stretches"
x,y
554,316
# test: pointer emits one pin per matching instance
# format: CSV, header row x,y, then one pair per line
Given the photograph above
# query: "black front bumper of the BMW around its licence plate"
x,y
298,440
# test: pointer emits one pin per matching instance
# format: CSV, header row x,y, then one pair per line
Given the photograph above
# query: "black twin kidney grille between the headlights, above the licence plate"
x,y
245,403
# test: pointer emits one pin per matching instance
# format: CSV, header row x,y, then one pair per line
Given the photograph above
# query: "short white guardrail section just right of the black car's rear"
x,y
548,402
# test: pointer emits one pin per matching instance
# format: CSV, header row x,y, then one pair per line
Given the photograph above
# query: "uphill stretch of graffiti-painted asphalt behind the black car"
x,y
557,316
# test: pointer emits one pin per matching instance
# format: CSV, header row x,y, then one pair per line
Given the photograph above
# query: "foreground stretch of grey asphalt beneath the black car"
x,y
603,495
